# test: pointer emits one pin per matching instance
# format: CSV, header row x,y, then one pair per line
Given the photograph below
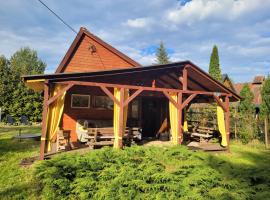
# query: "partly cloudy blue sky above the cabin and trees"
x,y
189,29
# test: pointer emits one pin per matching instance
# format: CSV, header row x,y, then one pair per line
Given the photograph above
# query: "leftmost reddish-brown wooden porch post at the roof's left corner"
x,y
44,120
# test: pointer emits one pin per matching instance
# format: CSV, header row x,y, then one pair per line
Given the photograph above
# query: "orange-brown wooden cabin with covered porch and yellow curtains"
x,y
98,88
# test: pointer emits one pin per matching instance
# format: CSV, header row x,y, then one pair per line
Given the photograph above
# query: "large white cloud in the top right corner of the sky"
x,y
199,10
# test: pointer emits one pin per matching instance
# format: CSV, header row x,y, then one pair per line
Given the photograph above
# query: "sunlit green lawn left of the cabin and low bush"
x,y
16,182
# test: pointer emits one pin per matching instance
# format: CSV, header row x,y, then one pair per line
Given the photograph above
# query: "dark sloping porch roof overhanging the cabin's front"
x,y
165,76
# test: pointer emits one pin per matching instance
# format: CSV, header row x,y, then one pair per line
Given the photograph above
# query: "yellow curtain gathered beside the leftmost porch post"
x,y
54,115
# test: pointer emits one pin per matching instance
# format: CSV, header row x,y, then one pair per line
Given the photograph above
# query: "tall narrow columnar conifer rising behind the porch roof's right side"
x,y
214,67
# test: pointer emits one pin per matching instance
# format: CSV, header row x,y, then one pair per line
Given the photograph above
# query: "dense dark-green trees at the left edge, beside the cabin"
x,y
16,99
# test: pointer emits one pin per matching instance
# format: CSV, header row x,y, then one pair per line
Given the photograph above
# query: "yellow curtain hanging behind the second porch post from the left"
x,y
116,116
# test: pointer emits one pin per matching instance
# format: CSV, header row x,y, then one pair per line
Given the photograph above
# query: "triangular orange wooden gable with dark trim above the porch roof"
x,y
89,53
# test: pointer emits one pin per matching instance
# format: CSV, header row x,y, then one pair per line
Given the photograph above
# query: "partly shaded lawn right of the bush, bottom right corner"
x,y
250,177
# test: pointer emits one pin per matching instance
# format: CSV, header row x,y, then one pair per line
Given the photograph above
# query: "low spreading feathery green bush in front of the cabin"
x,y
141,173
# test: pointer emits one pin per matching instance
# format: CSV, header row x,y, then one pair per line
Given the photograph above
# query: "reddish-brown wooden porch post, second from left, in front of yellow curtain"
x,y
121,119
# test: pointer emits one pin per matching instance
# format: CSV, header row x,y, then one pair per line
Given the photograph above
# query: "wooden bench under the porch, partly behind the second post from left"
x,y
105,136
